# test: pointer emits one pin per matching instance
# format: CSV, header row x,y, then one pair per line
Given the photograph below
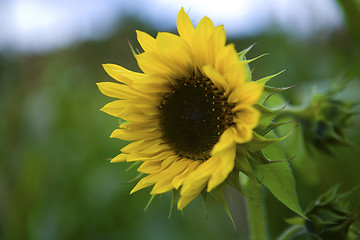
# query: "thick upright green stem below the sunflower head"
x,y
255,211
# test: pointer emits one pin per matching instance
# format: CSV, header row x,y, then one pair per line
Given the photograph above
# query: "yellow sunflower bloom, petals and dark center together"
x,y
188,110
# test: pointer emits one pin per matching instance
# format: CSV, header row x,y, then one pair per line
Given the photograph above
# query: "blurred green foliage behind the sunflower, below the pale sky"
x,y
55,178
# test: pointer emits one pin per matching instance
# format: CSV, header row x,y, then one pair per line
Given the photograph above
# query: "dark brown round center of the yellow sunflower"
x,y
193,116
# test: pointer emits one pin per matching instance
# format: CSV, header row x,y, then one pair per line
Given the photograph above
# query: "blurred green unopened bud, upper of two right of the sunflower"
x,y
324,118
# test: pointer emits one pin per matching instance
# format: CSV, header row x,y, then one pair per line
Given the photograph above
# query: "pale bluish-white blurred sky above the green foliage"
x,y
41,25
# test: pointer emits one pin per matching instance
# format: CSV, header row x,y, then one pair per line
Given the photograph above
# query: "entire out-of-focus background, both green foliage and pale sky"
x,y
55,178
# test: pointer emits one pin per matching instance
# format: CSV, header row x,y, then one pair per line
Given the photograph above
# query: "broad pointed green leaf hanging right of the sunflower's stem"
x,y
278,178
